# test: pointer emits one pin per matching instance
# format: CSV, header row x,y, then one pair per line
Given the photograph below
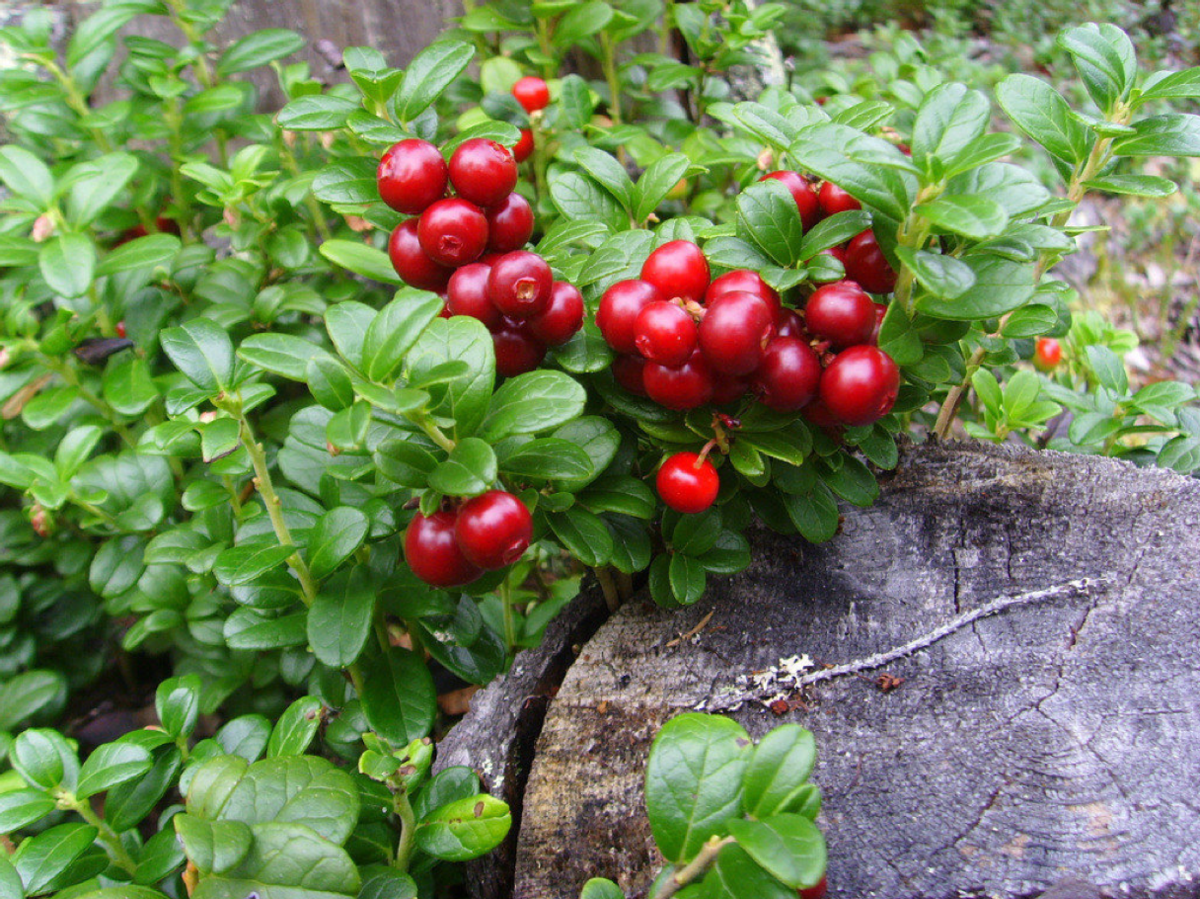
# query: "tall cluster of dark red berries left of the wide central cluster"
x,y
469,248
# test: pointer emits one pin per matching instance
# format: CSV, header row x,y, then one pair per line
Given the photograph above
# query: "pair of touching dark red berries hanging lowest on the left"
x,y
453,548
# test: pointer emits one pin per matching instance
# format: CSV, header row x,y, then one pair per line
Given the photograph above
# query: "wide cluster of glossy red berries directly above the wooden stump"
x,y
686,341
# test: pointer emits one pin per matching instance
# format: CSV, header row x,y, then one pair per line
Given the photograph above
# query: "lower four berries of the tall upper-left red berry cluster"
x,y
518,299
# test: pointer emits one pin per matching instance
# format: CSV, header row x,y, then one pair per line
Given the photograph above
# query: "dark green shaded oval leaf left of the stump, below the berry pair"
x,y
399,699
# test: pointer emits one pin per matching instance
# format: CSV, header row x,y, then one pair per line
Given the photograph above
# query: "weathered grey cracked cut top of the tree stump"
x,y
1049,741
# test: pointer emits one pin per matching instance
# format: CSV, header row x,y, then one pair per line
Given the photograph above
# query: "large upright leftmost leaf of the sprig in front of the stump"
x,y
694,782
